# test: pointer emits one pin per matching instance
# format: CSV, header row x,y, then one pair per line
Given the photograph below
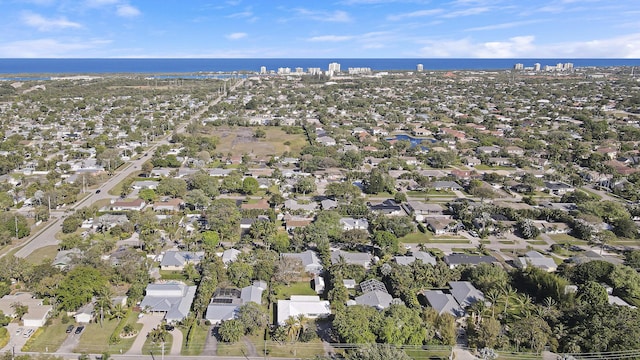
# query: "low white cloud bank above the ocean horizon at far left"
x,y
48,48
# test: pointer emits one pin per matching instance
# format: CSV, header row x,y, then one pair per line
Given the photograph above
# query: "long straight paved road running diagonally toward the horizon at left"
x,y
47,236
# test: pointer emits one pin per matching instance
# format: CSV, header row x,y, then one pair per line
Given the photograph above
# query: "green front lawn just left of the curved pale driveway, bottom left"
x,y
95,338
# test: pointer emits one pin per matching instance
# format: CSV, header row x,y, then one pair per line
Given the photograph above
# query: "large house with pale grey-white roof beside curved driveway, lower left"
x,y
174,299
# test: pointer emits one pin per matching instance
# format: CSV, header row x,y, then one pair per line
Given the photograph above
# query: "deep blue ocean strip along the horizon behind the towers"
x,y
172,66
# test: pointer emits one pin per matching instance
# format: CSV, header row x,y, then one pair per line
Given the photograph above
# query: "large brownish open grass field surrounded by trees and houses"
x,y
240,140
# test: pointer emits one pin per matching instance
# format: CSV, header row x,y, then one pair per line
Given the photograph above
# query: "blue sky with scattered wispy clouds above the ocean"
x,y
320,28
